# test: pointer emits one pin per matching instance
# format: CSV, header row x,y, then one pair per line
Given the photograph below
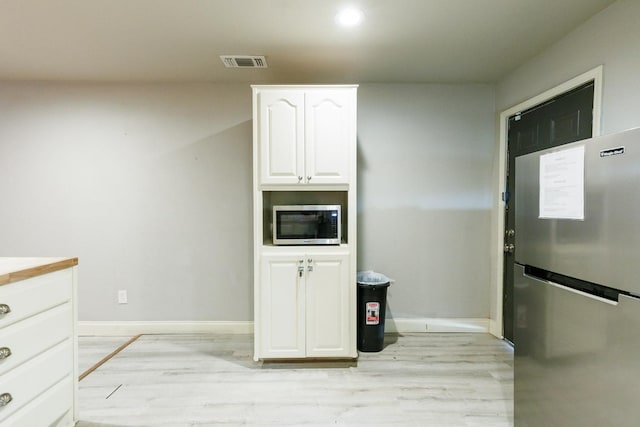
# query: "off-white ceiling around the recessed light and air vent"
x,y
181,40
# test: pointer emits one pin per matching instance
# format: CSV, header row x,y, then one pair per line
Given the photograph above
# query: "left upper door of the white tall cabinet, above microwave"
x,y
281,133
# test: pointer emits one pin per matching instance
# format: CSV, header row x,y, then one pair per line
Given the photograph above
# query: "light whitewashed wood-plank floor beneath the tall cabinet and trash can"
x,y
430,379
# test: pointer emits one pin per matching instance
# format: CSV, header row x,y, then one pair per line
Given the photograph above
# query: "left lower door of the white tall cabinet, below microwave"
x,y
282,306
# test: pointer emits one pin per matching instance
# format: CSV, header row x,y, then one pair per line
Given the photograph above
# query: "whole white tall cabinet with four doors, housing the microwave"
x,y
304,153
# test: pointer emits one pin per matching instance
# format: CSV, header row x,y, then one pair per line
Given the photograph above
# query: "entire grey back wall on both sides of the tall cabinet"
x,y
150,186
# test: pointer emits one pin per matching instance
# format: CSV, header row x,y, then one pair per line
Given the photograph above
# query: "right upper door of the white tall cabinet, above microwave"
x,y
329,135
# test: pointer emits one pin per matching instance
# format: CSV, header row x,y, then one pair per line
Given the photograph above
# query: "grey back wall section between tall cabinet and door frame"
x,y
424,161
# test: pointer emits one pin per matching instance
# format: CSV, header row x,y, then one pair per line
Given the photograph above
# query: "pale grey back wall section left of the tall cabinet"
x,y
150,186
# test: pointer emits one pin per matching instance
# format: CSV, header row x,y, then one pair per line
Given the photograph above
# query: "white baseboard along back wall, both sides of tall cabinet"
x,y
392,325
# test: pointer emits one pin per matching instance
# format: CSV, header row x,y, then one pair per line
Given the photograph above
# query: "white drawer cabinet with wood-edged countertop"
x,y
38,345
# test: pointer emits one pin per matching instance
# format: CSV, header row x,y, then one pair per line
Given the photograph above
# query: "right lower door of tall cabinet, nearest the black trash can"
x,y
328,307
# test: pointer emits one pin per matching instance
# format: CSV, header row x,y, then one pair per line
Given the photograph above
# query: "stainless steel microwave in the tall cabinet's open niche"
x,y
307,225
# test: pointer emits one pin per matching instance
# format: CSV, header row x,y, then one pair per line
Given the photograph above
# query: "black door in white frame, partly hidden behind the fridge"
x,y
566,118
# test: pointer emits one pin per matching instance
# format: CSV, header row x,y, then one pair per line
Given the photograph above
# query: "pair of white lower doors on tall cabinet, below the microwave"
x,y
305,306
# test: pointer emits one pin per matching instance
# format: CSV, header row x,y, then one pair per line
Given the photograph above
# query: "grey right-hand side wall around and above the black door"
x,y
612,39
